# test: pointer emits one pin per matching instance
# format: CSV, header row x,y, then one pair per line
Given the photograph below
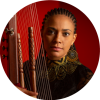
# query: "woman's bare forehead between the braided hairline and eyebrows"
x,y
59,21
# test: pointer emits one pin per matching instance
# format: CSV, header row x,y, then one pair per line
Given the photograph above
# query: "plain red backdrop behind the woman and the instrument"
x,y
87,37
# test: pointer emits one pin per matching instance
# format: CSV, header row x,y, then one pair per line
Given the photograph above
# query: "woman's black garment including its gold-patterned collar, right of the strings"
x,y
67,78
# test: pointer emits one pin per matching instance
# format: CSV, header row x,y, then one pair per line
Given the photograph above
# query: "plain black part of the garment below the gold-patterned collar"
x,y
71,84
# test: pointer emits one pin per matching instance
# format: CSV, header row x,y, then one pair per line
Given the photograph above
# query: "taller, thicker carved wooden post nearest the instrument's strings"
x,y
32,61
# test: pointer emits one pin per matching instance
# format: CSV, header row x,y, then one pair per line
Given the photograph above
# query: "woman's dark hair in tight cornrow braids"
x,y
60,11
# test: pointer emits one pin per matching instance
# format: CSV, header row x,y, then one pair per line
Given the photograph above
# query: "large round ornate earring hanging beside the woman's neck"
x,y
72,55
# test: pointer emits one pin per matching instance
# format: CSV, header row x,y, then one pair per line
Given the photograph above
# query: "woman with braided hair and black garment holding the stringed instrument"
x,y
67,75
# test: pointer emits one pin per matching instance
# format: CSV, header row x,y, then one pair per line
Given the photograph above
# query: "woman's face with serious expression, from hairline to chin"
x,y
58,35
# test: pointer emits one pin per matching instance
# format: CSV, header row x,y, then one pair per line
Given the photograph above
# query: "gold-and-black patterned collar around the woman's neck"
x,y
57,69
